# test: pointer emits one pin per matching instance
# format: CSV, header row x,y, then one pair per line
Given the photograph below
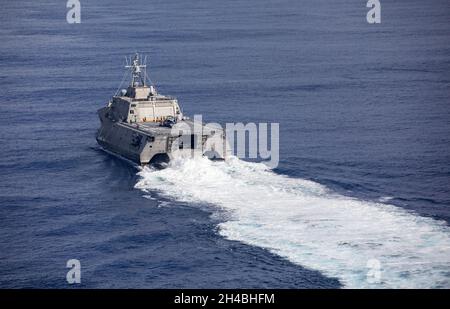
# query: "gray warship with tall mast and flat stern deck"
x,y
143,126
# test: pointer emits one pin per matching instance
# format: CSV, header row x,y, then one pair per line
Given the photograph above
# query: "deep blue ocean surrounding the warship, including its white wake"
x,y
364,145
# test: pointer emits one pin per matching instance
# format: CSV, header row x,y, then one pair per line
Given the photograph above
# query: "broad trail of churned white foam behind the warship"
x,y
363,244
